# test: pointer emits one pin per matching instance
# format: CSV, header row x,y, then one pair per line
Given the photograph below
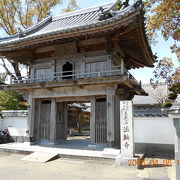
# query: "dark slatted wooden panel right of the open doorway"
x,y
101,121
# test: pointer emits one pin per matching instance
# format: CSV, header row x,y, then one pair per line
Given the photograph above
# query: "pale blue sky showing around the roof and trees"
x,y
162,48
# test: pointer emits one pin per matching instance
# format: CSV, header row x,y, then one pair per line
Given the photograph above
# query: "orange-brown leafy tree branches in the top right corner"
x,y
163,15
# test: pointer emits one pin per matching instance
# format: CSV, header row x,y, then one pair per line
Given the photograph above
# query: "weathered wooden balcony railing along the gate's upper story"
x,y
70,75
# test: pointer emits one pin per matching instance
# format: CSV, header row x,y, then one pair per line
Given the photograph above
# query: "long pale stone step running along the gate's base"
x,y
63,153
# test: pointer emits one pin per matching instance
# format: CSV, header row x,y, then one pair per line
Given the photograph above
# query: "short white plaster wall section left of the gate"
x,y
17,126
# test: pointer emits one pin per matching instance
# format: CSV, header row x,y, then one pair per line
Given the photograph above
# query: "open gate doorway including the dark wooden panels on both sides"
x,y
64,122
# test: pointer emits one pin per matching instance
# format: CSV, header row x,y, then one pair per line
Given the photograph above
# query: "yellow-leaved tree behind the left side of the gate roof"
x,y
21,14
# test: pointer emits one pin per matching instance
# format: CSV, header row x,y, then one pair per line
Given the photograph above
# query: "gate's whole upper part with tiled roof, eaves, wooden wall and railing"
x,y
86,44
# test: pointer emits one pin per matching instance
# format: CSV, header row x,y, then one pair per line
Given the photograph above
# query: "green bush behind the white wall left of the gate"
x,y
11,100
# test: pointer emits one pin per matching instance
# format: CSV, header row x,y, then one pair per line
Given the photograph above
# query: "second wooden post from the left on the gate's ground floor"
x,y
53,121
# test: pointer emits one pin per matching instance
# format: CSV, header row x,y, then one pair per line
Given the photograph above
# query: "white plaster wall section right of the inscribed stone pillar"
x,y
154,130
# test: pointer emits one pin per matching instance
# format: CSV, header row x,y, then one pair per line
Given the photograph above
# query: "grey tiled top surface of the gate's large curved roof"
x,y
70,22
